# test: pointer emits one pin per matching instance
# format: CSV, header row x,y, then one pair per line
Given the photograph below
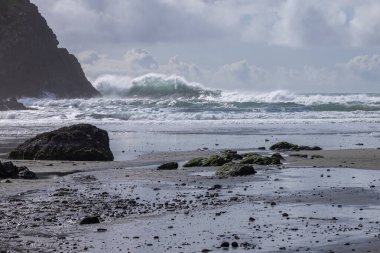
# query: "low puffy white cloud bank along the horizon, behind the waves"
x,y
360,74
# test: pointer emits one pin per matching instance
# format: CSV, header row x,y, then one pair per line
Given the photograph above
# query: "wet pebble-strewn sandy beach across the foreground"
x,y
305,205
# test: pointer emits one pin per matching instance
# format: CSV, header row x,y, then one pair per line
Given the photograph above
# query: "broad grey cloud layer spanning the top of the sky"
x,y
293,23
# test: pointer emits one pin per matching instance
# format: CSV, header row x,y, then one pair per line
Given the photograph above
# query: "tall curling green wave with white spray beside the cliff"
x,y
152,86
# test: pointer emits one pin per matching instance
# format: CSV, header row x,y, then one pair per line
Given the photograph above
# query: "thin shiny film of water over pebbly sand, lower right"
x,y
347,211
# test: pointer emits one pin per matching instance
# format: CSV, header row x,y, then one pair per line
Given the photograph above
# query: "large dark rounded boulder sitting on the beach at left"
x,y
81,142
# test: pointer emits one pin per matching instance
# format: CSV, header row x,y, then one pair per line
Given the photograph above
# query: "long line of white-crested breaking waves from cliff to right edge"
x,y
161,87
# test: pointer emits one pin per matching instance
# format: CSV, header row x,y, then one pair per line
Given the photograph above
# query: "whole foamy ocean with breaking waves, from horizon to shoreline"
x,y
166,113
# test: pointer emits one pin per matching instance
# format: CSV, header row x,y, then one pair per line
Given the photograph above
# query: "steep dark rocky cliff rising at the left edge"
x,y
31,64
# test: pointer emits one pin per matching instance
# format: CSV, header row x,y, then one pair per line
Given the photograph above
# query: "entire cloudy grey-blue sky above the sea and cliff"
x,y
248,45
